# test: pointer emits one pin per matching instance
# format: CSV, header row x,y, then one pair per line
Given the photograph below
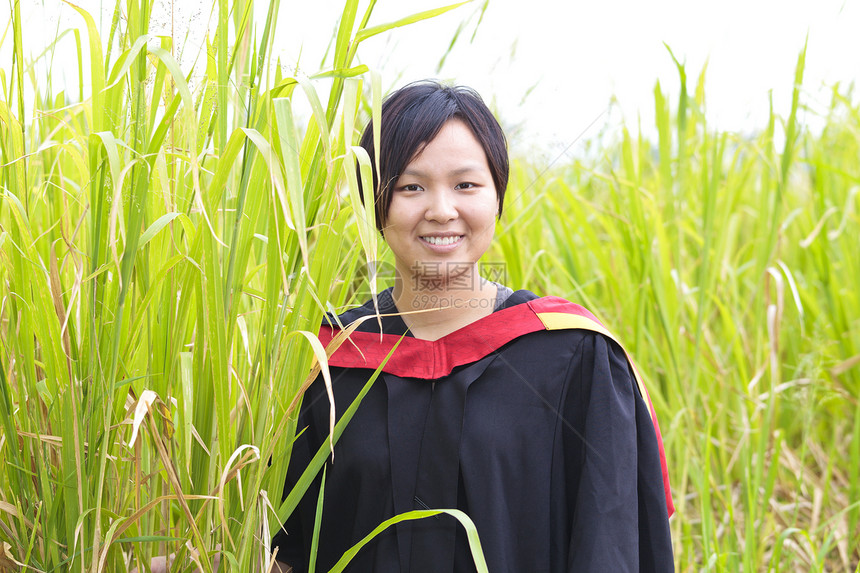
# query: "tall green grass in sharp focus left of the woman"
x,y
167,255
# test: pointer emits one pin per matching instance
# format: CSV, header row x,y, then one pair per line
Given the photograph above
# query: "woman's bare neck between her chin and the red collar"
x,y
444,305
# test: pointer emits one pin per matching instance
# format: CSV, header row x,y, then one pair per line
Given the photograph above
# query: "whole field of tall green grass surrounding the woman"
x,y
168,246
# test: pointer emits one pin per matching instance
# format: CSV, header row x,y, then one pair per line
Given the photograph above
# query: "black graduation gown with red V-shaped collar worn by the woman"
x,y
545,441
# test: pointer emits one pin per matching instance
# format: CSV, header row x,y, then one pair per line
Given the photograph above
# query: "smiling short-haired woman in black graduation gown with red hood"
x,y
499,403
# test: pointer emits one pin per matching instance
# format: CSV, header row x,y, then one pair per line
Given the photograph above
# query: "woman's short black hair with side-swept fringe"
x,y
412,116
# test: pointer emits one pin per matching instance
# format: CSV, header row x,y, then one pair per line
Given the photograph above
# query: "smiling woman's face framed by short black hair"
x,y
443,208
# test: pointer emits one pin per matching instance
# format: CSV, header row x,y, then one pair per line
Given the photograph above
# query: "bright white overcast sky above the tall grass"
x,y
551,67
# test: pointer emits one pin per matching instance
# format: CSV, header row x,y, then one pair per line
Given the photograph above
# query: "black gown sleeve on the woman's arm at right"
x,y
619,516
